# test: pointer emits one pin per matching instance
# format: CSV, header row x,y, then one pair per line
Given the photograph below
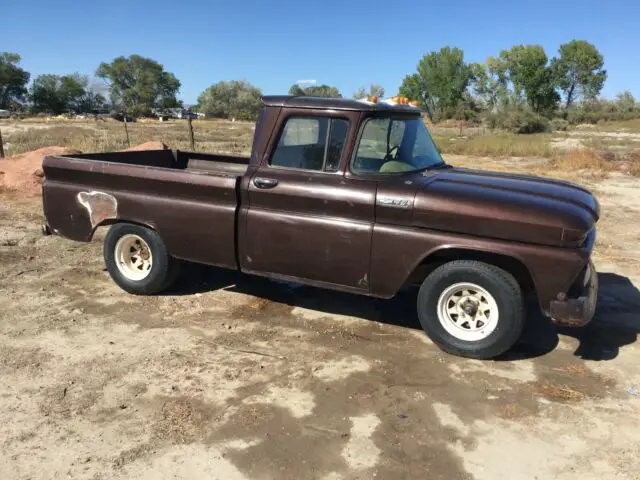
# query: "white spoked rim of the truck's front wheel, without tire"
x,y
467,311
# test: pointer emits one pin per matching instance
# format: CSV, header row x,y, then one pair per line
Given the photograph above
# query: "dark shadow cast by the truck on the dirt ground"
x,y
616,324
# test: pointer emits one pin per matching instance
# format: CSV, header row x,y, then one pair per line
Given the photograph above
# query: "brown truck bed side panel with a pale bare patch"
x,y
194,213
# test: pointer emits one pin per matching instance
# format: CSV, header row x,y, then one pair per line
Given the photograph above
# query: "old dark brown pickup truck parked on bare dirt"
x,y
348,195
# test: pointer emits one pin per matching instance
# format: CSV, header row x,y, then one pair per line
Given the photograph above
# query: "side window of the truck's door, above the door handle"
x,y
311,143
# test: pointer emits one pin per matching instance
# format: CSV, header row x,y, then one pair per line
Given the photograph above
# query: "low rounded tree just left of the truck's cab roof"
x,y
234,99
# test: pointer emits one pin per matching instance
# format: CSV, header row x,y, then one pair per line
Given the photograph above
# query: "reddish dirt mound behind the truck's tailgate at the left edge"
x,y
23,173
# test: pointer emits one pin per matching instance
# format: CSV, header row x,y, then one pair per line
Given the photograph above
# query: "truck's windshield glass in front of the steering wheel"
x,y
392,145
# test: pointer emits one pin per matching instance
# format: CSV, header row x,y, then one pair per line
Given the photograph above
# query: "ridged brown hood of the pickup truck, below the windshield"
x,y
506,206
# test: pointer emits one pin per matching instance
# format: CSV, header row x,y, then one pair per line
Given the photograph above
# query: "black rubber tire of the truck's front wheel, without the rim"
x,y
501,285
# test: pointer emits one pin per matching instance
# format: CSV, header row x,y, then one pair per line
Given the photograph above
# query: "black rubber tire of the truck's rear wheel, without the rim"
x,y
164,268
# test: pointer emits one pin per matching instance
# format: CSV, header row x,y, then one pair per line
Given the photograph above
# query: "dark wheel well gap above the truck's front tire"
x,y
510,264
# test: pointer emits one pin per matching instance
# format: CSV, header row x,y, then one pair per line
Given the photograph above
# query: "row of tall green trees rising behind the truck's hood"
x,y
522,80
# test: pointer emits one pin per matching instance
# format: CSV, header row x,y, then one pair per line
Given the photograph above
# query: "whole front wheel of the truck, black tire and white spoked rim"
x,y
471,309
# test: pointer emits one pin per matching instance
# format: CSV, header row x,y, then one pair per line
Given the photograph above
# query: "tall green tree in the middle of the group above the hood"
x,y
531,76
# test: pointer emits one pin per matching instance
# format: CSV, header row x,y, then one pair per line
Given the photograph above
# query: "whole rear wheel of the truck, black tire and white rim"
x,y
137,259
